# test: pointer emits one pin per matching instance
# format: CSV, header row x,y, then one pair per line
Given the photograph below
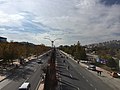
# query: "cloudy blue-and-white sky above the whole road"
x,y
87,21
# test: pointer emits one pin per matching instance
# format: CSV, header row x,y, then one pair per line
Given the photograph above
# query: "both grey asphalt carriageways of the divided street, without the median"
x,y
70,75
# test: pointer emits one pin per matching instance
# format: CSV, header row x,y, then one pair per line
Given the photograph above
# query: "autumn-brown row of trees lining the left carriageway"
x,y
14,50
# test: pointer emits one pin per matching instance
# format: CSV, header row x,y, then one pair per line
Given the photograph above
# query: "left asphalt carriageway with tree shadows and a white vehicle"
x,y
31,72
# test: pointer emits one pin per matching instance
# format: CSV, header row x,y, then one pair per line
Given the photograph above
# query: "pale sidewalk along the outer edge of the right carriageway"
x,y
105,76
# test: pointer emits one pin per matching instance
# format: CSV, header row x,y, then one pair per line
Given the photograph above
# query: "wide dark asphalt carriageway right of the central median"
x,y
76,77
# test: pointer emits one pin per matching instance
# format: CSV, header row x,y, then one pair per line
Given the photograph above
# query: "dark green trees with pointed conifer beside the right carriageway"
x,y
77,51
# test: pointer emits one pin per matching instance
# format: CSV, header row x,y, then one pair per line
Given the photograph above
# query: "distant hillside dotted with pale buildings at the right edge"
x,y
111,48
